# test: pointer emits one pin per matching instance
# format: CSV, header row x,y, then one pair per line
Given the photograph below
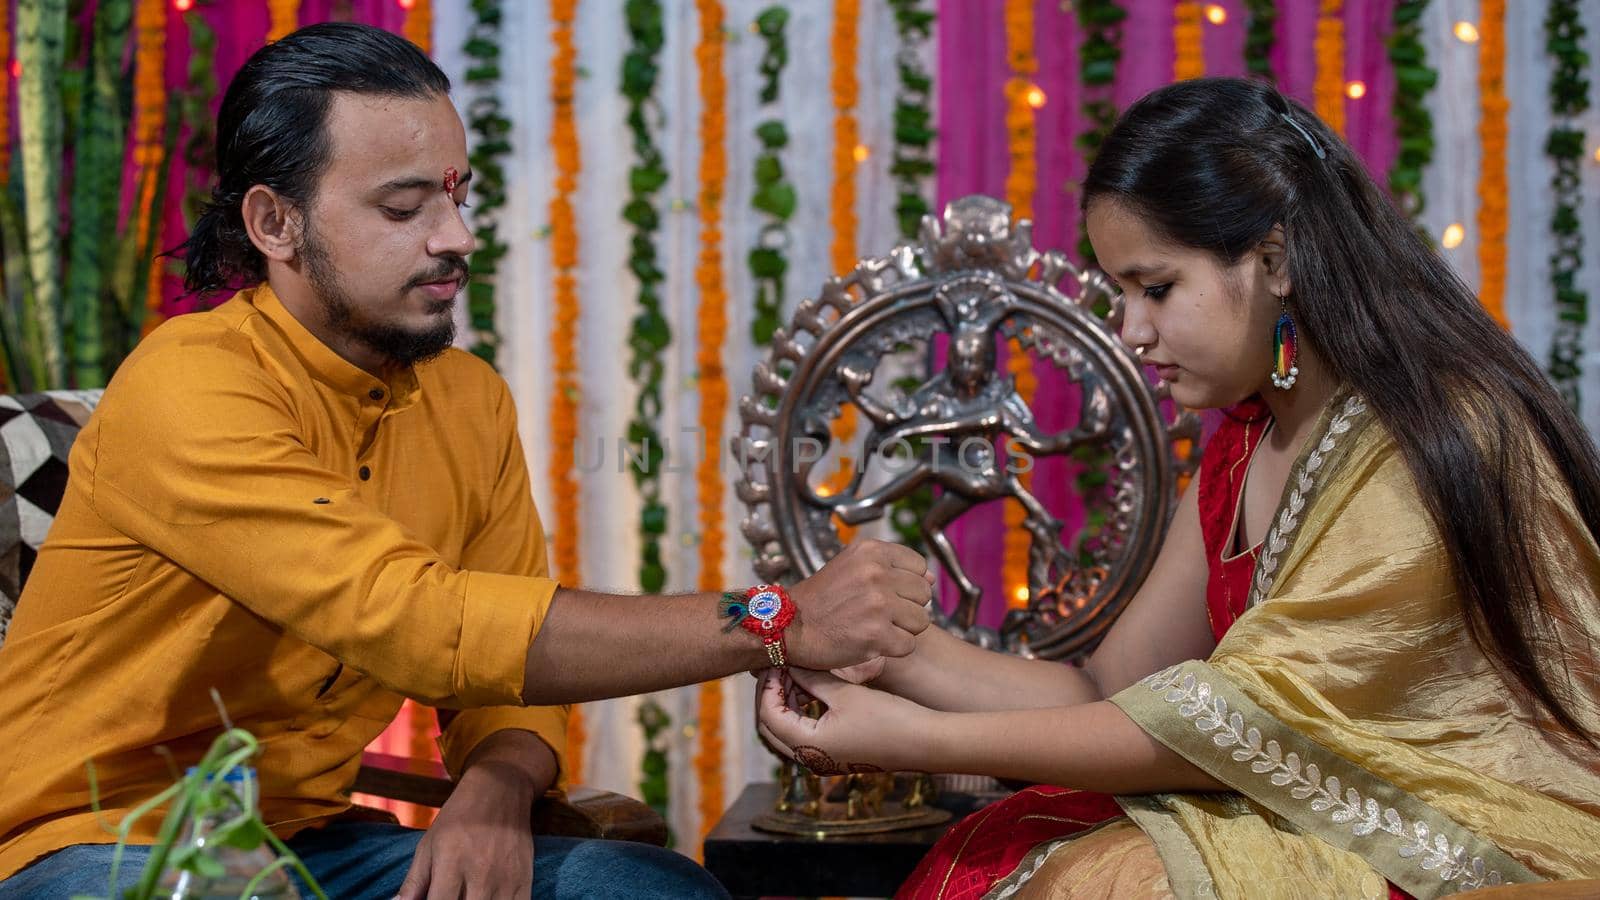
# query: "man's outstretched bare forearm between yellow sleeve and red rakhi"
x,y
598,646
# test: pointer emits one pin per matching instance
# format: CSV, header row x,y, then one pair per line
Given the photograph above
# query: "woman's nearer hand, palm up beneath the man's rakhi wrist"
x,y
862,729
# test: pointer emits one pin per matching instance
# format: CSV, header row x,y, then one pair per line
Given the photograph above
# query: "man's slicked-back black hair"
x,y
273,129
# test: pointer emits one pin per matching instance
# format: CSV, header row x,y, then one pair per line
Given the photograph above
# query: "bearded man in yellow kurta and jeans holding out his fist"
x,y
310,504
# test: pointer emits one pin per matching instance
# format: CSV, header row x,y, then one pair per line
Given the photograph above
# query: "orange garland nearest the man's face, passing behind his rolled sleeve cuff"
x,y
564,334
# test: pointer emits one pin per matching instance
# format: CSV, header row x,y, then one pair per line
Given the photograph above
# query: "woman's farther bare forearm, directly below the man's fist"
x,y
948,673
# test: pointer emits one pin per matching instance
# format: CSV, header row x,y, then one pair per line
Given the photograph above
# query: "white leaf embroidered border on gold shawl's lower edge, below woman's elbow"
x,y
1306,782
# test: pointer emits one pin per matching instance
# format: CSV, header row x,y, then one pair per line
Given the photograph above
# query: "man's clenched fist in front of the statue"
x,y
868,601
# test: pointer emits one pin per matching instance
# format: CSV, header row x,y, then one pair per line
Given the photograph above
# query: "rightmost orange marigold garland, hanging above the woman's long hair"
x,y
1494,191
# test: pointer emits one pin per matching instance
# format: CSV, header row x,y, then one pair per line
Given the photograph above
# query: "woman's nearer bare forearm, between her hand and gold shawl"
x,y
1092,747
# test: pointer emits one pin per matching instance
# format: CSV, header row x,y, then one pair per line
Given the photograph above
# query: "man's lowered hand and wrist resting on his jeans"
x,y
482,843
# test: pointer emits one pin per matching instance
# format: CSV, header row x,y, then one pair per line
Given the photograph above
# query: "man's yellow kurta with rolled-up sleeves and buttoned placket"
x,y
250,513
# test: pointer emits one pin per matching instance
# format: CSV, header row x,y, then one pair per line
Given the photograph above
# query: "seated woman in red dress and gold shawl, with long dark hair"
x,y
1401,515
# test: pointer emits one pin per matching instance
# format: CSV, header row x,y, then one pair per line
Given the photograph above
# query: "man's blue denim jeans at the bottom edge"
x,y
364,861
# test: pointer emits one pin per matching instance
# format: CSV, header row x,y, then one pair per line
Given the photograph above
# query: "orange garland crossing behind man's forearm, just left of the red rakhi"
x,y
713,380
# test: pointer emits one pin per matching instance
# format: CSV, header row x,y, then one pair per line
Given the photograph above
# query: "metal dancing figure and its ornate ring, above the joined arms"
x,y
970,278
